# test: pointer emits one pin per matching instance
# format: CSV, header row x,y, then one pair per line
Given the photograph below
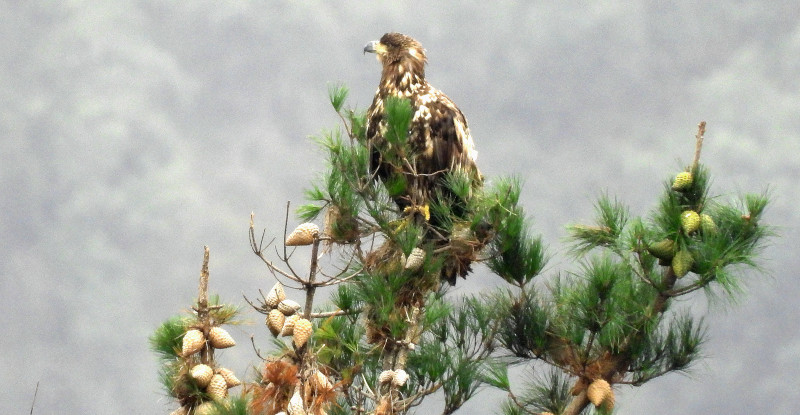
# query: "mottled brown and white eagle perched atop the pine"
x,y
438,136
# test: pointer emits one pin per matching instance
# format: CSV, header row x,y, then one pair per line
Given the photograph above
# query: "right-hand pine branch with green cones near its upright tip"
x,y
615,322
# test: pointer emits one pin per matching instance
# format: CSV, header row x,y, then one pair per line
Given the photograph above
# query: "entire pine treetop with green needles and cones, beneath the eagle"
x,y
390,336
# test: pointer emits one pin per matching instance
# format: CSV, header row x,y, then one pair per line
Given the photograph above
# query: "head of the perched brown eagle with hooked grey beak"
x,y
399,50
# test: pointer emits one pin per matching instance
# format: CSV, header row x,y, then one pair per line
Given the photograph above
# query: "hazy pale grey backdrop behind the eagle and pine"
x,y
134,133
